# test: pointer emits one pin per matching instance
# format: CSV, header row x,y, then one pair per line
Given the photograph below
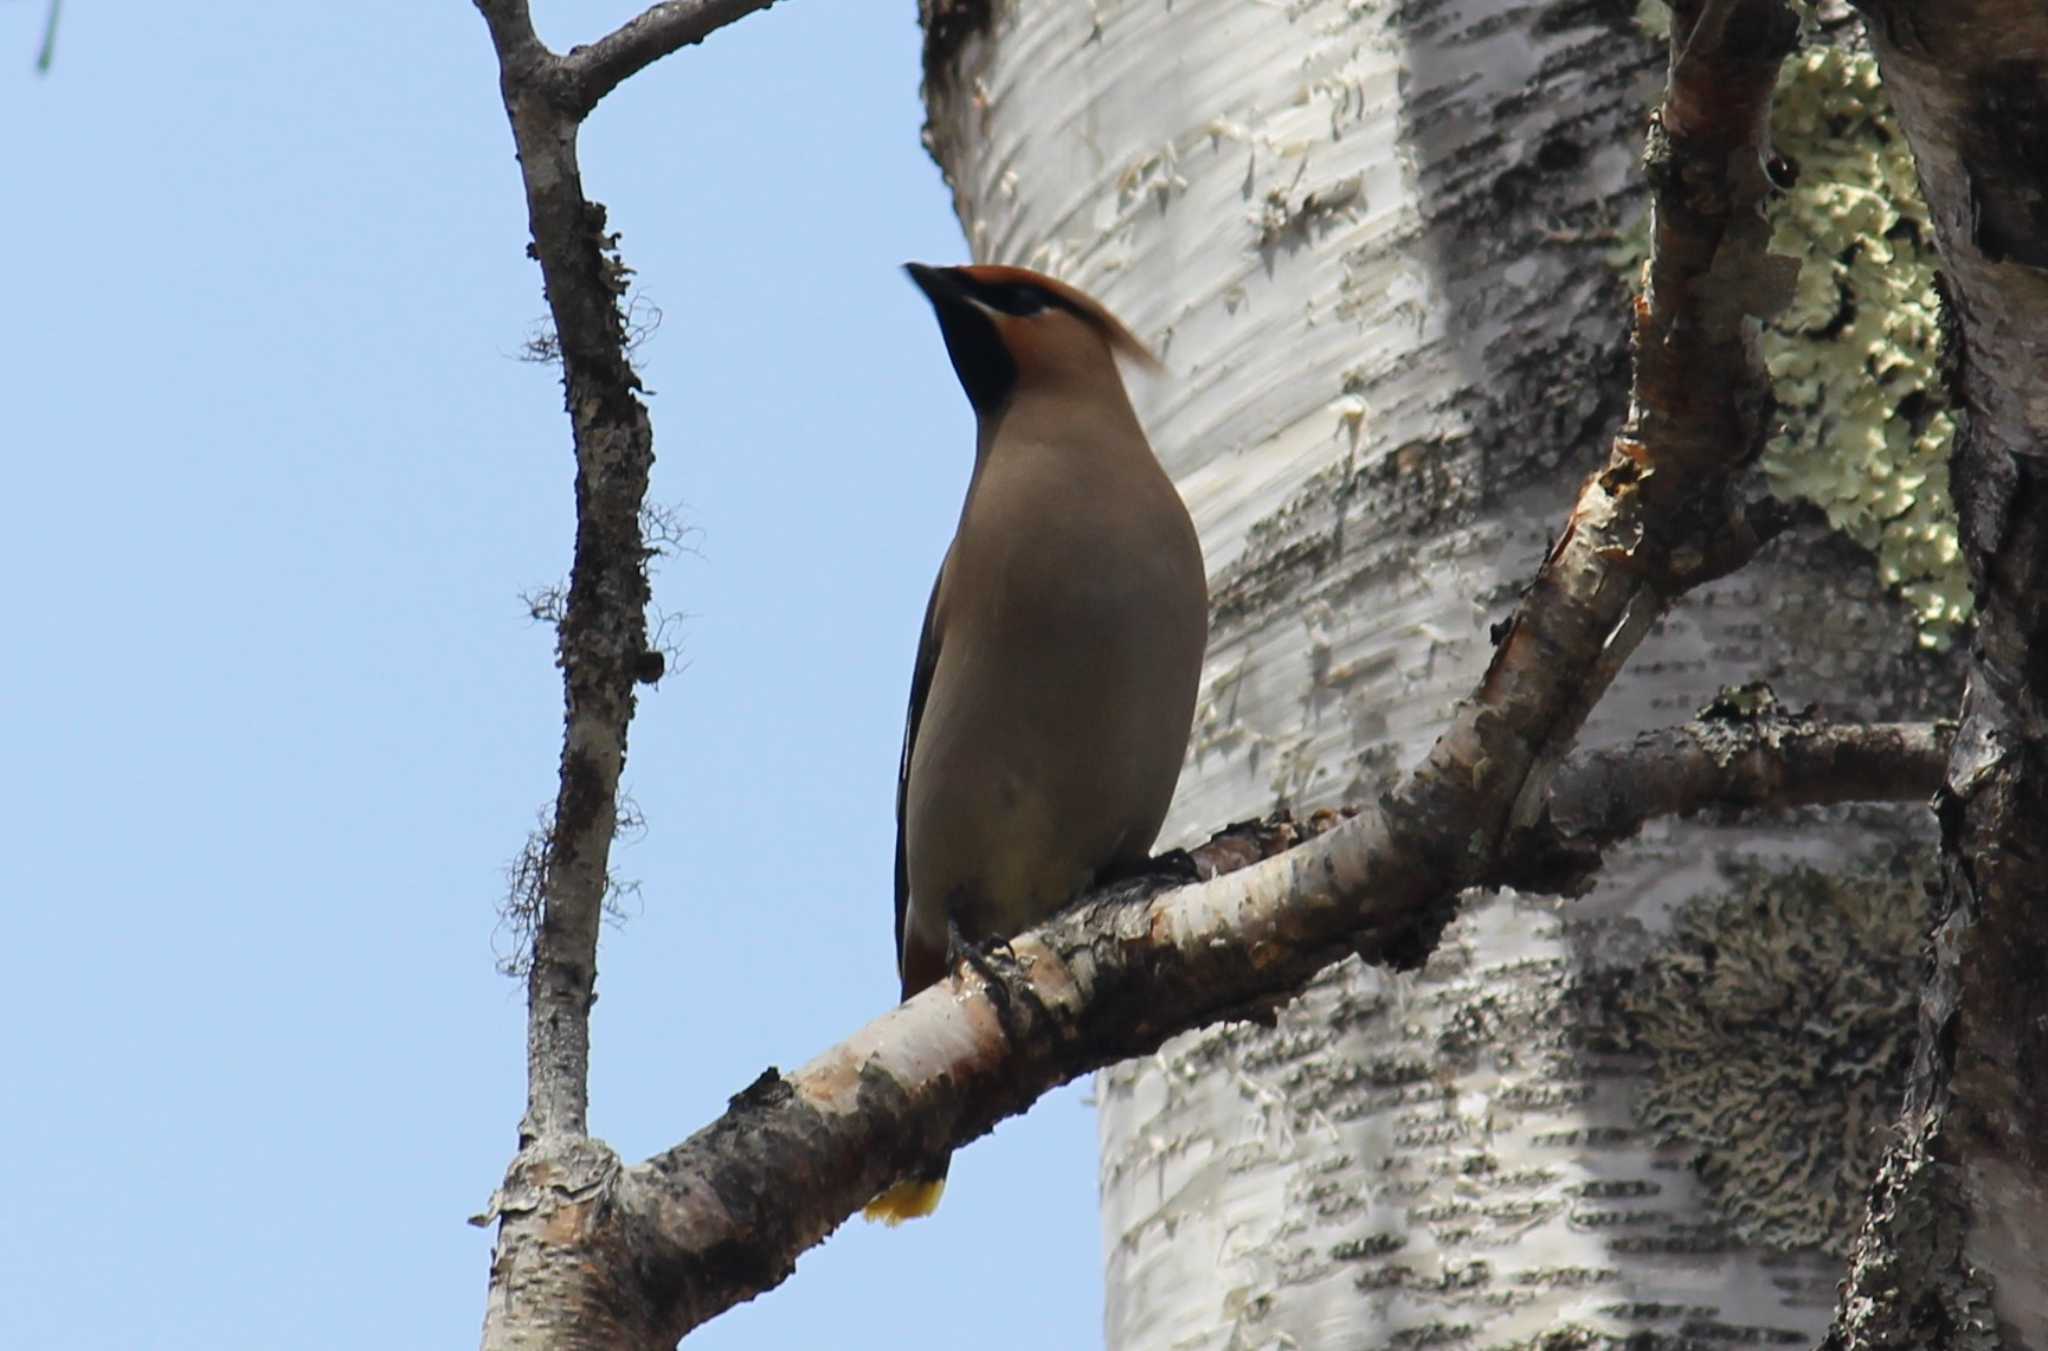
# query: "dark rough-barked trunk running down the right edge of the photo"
x,y
1953,1254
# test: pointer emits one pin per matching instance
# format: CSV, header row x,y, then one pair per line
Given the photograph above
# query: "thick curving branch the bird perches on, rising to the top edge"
x,y
640,1256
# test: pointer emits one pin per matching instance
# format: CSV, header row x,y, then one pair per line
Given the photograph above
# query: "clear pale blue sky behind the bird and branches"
x,y
275,715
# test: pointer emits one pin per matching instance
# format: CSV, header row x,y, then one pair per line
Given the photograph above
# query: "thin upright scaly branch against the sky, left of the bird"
x,y
540,1295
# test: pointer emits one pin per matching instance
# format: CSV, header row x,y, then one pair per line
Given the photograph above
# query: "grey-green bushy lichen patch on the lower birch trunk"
x,y
1781,1022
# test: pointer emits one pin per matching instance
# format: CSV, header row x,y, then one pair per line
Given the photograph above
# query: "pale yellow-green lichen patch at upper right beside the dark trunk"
x,y
1854,359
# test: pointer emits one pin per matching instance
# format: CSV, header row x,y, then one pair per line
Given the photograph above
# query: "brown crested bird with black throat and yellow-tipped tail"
x,y
1062,646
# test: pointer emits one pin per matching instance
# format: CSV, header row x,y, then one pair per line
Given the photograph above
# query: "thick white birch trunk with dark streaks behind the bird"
x,y
1385,253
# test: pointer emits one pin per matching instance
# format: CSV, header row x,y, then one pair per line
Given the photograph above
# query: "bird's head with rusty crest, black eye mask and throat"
x,y
1011,329
